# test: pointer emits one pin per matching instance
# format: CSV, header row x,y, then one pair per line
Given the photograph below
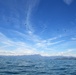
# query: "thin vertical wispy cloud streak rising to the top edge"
x,y
31,6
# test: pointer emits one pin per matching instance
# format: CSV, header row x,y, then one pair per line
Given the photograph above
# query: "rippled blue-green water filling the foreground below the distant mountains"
x,y
25,66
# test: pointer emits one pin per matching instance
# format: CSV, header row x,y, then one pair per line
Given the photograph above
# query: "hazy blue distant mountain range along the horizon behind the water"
x,y
37,56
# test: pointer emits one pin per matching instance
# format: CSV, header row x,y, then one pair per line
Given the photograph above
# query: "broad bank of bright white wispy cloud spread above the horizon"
x,y
23,48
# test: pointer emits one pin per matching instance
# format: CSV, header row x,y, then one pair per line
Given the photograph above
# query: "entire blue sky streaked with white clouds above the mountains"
x,y
45,27
